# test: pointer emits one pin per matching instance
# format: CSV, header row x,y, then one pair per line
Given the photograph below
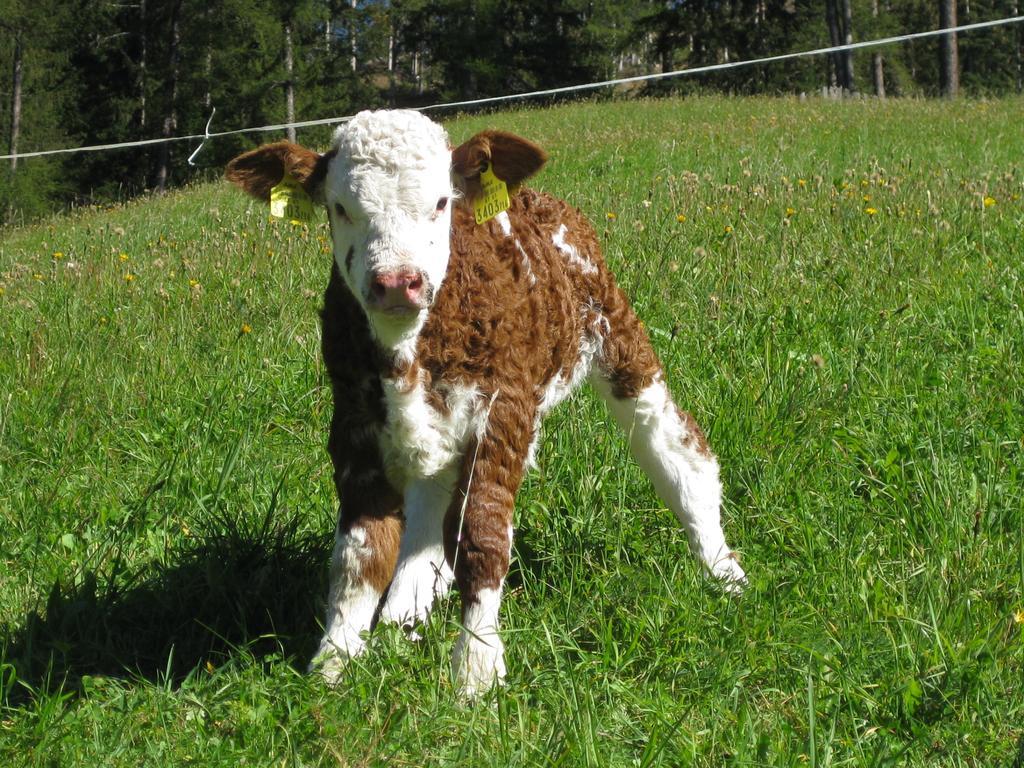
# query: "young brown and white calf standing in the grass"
x,y
447,342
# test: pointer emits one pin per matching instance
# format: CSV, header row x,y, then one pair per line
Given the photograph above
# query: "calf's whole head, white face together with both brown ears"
x,y
389,184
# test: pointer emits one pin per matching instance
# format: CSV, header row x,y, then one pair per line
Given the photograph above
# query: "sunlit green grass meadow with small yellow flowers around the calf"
x,y
838,293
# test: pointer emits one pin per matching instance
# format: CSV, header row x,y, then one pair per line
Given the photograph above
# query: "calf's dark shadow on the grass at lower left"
x,y
259,592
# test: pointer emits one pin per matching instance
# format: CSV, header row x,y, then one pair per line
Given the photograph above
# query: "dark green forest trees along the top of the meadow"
x,y
90,72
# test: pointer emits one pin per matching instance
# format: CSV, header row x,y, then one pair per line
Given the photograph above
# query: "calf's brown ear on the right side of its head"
x,y
513,159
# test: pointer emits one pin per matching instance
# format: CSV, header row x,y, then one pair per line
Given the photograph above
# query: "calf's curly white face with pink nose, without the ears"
x,y
389,195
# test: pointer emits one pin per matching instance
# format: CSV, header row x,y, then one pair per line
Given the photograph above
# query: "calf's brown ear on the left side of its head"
x,y
264,168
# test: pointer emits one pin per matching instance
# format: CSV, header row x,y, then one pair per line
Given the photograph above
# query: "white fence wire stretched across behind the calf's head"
x,y
548,92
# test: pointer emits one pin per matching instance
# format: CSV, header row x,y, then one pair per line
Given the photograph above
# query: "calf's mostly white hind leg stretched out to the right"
x,y
668,445
